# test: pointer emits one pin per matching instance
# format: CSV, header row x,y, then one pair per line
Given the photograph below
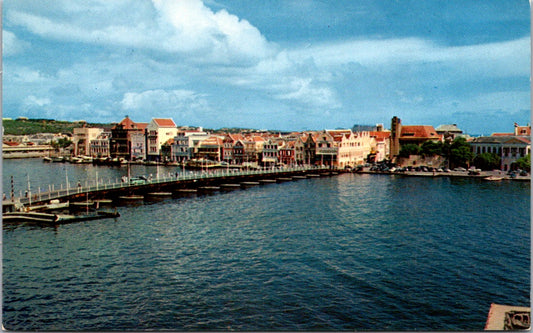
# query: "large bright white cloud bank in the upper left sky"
x,y
184,27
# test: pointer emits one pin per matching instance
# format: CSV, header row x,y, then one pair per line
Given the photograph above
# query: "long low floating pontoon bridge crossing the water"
x,y
205,181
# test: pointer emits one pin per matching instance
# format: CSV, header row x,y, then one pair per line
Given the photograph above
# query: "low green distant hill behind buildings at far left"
x,y
33,126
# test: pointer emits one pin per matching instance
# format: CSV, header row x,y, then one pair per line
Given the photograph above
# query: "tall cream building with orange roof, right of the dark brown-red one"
x,y
159,130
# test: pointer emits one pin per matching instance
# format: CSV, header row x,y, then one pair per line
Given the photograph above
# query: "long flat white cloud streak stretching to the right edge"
x,y
494,59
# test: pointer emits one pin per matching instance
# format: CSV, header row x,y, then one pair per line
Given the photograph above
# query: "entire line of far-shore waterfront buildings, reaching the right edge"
x,y
162,140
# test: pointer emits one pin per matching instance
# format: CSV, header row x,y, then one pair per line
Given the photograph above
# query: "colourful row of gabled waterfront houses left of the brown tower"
x,y
162,140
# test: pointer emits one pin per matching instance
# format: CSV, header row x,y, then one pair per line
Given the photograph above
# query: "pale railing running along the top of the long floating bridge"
x,y
218,173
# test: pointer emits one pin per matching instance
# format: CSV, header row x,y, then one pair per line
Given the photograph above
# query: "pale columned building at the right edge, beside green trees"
x,y
508,146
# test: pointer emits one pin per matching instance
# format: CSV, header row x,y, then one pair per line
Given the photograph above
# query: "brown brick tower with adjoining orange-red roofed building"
x,y
409,134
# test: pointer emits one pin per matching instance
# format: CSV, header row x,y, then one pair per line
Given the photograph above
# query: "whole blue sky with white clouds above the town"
x,y
275,64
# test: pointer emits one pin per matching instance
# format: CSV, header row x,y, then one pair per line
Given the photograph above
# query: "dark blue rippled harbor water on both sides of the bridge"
x,y
348,252
